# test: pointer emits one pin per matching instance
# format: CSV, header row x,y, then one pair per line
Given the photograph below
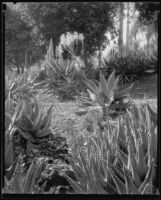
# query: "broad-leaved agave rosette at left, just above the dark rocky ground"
x,y
32,121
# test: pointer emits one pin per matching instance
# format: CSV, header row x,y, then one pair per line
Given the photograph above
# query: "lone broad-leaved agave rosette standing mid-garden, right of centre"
x,y
106,94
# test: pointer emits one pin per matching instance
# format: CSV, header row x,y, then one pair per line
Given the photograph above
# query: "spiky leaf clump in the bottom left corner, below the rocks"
x,y
26,184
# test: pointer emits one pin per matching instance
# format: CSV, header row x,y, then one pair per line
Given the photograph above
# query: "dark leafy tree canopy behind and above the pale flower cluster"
x,y
87,18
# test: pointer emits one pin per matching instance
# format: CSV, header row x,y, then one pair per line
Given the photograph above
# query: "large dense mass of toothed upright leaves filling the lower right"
x,y
120,160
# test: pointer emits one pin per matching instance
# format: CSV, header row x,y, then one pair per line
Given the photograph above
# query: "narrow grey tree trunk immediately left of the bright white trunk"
x,y
121,28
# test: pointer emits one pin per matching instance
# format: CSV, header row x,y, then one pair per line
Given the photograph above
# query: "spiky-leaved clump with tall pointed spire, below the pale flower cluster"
x,y
63,80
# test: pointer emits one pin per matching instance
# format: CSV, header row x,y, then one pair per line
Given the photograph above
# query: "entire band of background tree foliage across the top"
x,y
29,27
